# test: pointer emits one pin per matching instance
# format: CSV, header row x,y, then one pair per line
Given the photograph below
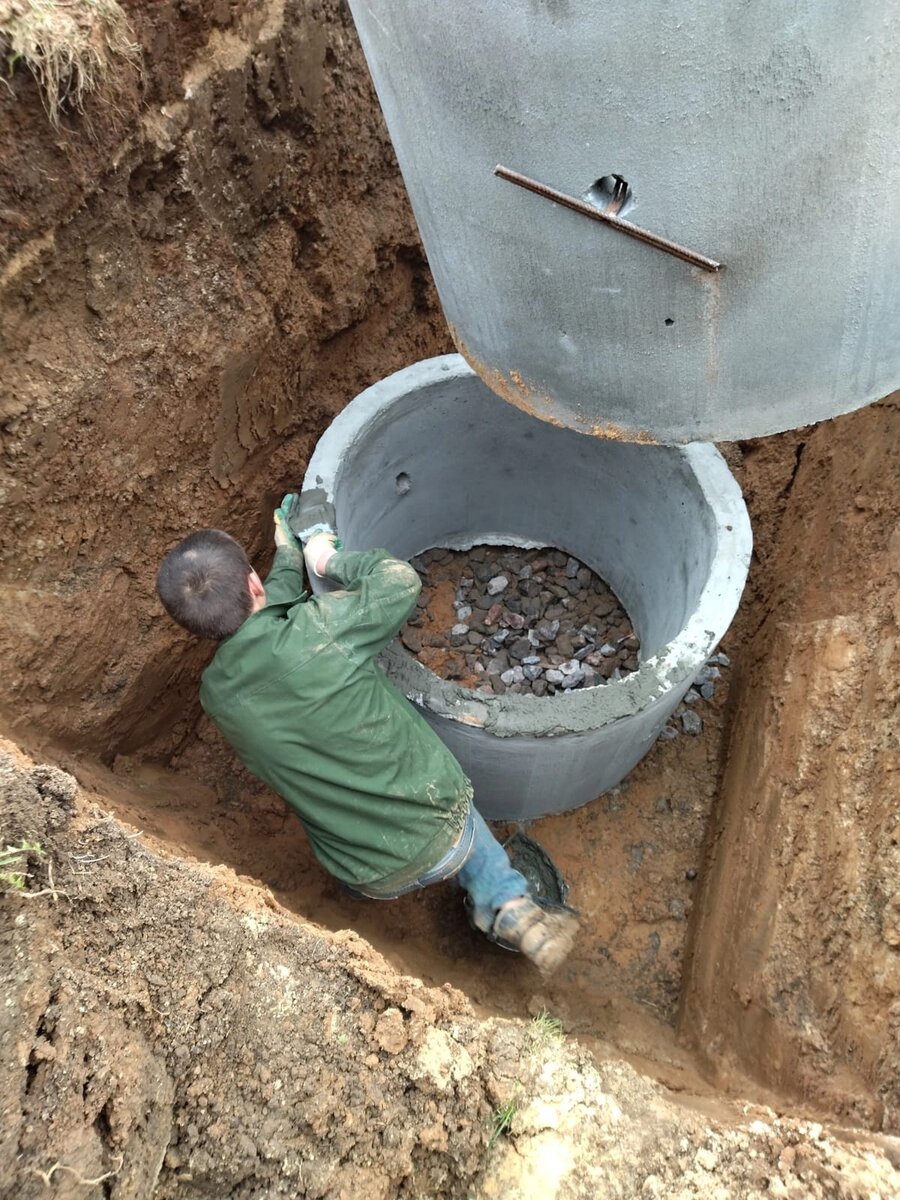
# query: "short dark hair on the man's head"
x,y
203,584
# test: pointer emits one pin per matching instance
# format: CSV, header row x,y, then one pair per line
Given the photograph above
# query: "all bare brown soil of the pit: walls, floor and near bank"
x,y
195,280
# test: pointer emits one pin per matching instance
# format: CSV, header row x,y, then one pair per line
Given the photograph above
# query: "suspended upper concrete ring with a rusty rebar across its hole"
x,y
759,136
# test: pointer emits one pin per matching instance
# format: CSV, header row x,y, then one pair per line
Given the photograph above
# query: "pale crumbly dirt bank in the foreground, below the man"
x,y
170,1031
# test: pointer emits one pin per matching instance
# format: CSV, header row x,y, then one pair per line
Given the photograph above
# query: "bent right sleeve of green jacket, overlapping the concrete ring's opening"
x,y
381,593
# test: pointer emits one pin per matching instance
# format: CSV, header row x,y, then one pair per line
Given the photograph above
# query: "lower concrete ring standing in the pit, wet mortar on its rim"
x,y
431,457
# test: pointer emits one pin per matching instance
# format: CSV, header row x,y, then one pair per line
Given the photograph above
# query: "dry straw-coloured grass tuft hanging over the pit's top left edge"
x,y
70,46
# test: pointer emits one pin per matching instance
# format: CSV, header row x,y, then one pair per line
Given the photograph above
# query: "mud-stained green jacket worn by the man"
x,y
299,697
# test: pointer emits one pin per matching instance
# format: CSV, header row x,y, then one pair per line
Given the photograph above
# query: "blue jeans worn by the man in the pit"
x,y
481,865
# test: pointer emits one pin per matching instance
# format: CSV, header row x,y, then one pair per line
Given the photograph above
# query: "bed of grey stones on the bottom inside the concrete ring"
x,y
529,622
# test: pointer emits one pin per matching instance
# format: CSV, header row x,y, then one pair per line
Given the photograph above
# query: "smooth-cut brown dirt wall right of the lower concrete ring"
x,y
795,970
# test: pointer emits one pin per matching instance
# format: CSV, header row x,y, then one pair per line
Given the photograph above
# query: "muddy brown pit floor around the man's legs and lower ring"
x,y
632,857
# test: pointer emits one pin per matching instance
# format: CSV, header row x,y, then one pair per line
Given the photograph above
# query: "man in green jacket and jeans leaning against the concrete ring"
x,y
296,691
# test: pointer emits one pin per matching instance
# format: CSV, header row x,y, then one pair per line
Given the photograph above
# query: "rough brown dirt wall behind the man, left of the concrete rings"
x,y
197,274
